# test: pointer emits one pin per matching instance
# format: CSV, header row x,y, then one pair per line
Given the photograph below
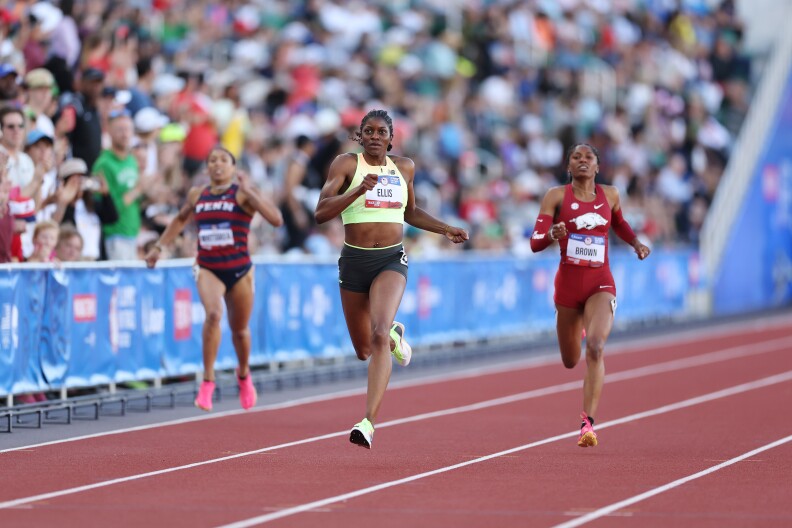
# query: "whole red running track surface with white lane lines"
x,y
676,417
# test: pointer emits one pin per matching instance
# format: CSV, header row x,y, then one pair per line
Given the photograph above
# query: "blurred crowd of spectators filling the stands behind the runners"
x,y
109,110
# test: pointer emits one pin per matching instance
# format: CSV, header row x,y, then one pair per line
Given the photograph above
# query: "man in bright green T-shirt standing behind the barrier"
x,y
121,172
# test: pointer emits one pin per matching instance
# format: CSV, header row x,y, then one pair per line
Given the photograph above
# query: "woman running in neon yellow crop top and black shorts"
x,y
373,194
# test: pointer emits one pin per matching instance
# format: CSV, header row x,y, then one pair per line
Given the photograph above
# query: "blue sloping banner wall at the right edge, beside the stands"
x,y
756,271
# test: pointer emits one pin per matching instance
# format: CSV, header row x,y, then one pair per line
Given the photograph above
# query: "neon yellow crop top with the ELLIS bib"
x,y
385,202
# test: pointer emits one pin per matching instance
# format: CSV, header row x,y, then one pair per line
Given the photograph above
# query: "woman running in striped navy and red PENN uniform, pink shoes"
x,y
223,210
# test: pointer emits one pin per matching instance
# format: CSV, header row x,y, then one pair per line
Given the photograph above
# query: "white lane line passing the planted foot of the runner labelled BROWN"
x,y
287,512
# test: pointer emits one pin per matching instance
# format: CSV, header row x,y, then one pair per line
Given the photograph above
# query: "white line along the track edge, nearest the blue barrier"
x,y
678,338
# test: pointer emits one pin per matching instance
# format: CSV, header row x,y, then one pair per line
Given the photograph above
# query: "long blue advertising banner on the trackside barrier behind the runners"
x,y
83,326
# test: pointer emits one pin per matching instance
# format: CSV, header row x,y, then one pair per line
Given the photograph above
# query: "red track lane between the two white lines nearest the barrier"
x,y
162,448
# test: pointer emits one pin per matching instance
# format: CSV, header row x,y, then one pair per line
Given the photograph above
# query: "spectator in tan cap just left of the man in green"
x,y
84,202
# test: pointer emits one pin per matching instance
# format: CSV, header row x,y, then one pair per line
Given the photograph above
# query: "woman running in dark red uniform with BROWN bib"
x,y
578,216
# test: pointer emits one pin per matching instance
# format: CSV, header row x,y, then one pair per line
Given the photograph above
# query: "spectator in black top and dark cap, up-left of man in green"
x,y
81,114
